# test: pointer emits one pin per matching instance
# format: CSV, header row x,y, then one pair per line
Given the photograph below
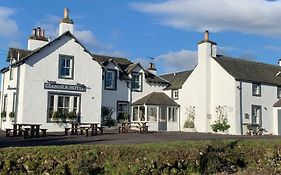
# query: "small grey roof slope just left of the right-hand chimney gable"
x,y
176,79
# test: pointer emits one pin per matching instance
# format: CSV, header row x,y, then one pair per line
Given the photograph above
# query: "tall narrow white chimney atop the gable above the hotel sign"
x,y
66,24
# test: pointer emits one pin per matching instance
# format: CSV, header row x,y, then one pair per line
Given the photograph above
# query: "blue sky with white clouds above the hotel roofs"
x,y
166,30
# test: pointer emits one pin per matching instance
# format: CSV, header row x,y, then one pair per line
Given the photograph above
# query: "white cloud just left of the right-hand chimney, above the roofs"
x,y
176,61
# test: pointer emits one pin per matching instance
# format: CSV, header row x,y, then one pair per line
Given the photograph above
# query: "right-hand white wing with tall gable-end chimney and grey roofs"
x,y
244,91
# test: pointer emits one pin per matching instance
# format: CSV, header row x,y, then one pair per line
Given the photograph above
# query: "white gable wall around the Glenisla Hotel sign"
x,y
42,67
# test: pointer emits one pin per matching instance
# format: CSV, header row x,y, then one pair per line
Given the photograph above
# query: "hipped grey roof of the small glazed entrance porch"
x,y
156,98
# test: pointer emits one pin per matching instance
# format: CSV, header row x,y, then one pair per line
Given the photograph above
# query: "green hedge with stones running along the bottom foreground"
x,y
190,157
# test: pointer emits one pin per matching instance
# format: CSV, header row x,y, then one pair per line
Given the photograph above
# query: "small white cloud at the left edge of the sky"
x,y
8,27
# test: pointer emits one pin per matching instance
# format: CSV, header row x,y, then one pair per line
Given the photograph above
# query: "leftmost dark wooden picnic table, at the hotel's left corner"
x,y
34,129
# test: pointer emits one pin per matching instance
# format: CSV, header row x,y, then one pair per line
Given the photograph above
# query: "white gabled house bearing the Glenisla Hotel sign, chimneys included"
x,y
48,78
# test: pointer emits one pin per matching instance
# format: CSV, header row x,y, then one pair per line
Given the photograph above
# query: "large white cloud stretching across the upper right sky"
x,y
247,16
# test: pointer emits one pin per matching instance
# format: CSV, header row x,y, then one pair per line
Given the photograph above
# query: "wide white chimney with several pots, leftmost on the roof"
x,y
37,39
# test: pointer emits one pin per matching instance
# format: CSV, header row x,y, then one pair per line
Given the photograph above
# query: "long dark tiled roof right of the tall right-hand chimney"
x,y
251,71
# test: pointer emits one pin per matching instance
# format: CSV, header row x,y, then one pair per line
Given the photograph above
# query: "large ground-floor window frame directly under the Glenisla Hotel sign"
x,y
55,102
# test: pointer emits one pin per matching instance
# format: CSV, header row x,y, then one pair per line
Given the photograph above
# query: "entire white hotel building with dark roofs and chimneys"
x,y
63,76
